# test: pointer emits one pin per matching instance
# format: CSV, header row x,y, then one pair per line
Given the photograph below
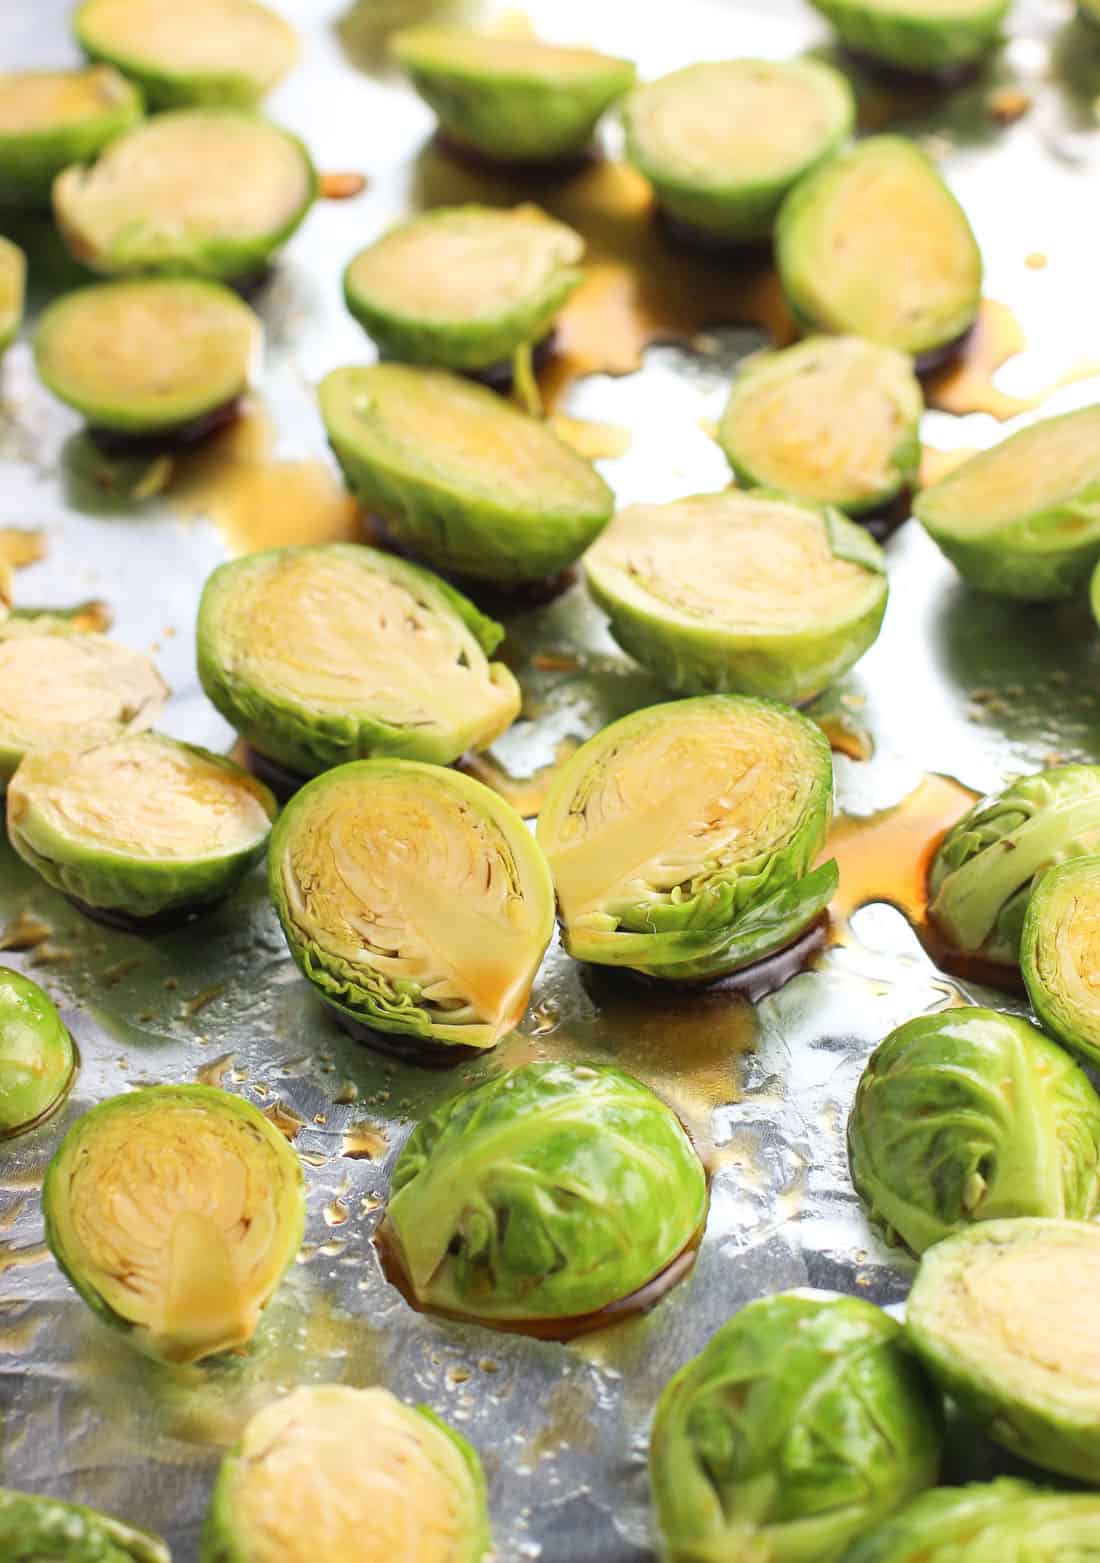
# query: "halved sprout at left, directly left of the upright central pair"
x,y
140,826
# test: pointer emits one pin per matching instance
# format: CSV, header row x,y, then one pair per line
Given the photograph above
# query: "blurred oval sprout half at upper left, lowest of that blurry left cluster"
x,y
148,356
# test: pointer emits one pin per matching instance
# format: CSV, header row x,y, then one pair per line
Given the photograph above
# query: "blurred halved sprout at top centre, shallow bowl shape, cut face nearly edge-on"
x,y
512,99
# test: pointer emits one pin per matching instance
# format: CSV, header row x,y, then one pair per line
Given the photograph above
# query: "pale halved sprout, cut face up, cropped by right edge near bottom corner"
x,y
1002,1318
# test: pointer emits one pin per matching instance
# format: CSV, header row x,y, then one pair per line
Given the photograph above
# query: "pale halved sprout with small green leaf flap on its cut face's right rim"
x,y
755,593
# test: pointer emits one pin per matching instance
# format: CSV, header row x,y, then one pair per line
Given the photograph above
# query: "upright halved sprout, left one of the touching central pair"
x,y
415,900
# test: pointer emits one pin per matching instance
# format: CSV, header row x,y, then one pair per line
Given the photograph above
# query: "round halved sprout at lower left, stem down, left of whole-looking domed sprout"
x,y
174,1212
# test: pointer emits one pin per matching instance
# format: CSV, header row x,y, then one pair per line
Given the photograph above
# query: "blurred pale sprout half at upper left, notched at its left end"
x,y
209,193
